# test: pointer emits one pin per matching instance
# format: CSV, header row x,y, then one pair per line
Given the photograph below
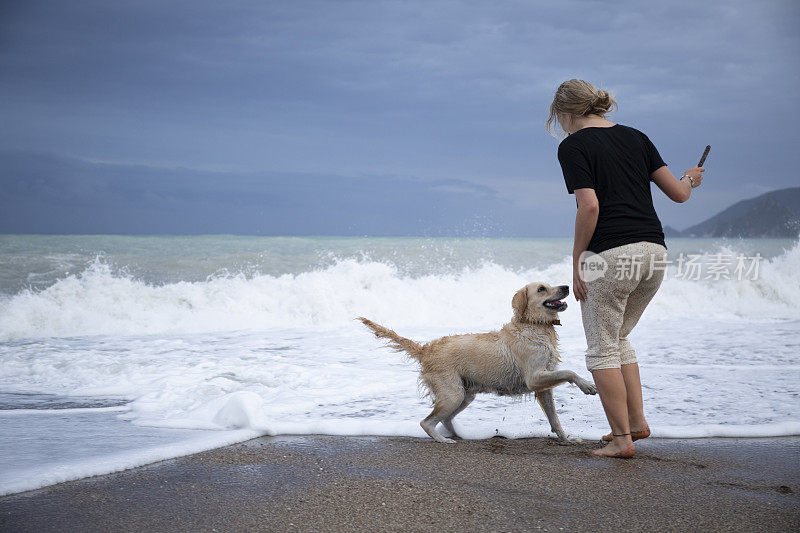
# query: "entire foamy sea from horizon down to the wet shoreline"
x,y
116,351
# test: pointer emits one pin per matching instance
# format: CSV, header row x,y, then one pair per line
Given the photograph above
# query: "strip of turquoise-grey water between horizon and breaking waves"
x,y
38,261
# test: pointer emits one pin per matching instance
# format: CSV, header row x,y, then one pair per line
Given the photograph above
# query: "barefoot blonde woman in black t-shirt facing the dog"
x,y
609,168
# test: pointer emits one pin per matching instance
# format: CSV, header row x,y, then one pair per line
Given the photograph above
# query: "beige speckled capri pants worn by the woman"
x,y
615,301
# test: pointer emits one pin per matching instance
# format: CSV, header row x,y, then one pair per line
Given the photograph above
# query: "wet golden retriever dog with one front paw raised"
x,y
519,359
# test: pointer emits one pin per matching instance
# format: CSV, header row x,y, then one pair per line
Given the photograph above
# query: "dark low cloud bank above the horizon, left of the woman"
x,y
50,194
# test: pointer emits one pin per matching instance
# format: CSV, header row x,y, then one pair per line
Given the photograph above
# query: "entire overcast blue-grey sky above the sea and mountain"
x,y
374,117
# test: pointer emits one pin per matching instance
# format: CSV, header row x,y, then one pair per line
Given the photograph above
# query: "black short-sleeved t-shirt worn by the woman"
x,y
616,162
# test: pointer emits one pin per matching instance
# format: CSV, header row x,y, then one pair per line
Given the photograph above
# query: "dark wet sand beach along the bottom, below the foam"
x,y
325,483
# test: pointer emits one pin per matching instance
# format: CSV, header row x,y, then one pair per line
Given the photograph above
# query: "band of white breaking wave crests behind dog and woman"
x,y
101,301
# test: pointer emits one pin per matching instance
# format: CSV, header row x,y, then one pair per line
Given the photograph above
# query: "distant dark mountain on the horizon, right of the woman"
x,y
774,214
